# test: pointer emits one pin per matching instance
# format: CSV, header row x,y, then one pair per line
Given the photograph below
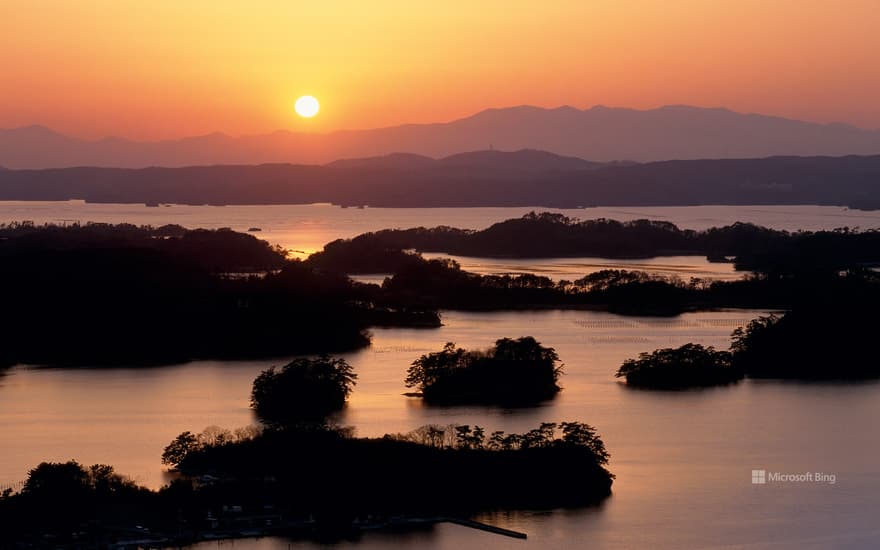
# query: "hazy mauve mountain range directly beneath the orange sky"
x,y
599,134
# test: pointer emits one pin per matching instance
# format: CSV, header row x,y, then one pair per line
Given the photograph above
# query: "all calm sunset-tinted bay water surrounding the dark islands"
x,y
683,460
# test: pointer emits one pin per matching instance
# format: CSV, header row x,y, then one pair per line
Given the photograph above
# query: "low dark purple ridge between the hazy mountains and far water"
x,y
482,178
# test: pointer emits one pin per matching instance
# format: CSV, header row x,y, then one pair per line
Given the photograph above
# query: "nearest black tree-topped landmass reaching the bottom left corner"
x,y
311,482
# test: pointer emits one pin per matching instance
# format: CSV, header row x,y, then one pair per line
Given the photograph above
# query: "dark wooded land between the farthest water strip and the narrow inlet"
x,y
551,235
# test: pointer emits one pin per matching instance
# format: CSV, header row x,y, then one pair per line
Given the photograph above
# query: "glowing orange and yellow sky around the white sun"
x,y
160,69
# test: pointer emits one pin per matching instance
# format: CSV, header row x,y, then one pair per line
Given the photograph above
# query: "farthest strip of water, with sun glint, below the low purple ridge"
x,y
306,228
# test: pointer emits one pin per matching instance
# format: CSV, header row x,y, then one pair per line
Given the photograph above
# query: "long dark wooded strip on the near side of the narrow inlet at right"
x,y
442,284
